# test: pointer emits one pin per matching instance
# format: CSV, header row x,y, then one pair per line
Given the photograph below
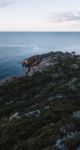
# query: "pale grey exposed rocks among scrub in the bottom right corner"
x,y
68,133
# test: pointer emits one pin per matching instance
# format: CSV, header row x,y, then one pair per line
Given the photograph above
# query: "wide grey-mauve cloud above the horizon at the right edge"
x,y
64,17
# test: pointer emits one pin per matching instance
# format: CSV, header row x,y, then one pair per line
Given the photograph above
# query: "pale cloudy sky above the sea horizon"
x,y
39,15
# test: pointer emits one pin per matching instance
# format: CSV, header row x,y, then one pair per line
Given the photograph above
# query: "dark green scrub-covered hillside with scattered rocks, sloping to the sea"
x,y
41,111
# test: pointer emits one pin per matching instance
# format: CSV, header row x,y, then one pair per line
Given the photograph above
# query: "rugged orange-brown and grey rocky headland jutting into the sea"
x,y
39,63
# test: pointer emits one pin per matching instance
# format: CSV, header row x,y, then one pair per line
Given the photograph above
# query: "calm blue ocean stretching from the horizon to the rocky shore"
x,y
15,46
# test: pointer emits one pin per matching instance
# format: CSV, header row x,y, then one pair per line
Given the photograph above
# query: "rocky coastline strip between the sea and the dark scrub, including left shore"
x,y
37,63
